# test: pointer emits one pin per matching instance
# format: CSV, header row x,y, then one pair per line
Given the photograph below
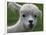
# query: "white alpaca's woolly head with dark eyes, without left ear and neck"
x,y
29,14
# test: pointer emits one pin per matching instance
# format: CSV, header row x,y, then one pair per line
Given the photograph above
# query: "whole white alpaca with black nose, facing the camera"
x,y
28,17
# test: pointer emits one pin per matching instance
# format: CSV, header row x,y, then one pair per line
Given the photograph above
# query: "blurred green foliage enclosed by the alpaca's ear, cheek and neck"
x,y
12,16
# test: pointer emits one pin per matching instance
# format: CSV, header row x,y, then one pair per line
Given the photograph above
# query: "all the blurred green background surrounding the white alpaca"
x,y
13,16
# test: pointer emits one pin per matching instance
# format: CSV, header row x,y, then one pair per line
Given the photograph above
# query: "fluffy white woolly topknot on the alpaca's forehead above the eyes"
x,y
30,8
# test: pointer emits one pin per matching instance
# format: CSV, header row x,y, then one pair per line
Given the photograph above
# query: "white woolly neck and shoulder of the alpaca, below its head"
x,y
18,27
